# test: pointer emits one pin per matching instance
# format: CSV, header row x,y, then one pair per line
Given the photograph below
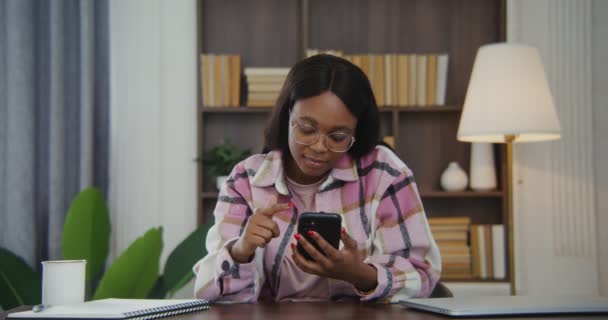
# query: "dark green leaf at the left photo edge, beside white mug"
x,y
19,283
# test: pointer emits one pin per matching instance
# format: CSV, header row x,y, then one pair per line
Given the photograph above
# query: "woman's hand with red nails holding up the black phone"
x,y
346,264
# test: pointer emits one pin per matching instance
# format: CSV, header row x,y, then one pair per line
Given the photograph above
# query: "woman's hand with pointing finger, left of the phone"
x,y
260,229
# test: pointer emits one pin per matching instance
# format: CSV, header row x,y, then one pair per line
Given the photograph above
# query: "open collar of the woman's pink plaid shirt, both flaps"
x,y
271,171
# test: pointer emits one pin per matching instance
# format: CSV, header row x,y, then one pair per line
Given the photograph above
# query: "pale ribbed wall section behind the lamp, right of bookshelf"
x,y
554,191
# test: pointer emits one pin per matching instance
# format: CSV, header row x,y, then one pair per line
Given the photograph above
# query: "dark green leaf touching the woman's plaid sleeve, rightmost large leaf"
x,y
178,268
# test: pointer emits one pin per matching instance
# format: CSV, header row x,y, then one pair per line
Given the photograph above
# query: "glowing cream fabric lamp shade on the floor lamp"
x,y
508,94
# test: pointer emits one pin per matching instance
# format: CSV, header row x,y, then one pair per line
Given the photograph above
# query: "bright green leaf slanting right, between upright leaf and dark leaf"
x,y
134,273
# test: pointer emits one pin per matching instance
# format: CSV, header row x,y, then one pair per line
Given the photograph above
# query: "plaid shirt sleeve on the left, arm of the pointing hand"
x,y
218,276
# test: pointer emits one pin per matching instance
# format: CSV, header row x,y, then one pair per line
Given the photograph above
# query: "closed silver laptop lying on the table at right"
x,y
510,305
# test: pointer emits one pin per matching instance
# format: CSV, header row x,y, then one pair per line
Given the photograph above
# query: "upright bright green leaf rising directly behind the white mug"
x,y
86,231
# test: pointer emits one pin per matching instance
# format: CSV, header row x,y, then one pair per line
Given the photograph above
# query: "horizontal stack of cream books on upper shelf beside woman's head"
x,y
264,85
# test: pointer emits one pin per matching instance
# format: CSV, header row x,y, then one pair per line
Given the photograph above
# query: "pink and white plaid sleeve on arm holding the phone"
x,y
405,254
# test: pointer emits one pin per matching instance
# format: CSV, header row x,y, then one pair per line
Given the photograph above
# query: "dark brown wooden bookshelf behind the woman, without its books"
x,y
276,33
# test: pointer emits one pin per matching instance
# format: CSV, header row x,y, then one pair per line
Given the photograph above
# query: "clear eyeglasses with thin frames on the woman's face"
x,y
308,135
